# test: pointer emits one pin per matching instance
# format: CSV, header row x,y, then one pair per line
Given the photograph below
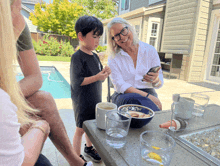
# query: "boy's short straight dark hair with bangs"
x,y
86,24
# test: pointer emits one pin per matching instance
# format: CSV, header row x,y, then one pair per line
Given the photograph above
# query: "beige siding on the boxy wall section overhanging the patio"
x,y
179,26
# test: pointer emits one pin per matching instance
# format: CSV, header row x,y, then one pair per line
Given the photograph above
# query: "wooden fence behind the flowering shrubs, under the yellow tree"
x,y
39,36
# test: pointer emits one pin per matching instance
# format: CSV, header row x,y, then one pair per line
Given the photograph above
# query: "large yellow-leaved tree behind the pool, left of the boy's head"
x,y
58,17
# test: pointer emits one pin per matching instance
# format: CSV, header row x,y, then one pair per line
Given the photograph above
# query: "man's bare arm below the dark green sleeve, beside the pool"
x,y
32,80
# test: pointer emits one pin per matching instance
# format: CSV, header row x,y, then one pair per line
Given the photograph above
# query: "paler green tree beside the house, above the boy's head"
x,y
102,9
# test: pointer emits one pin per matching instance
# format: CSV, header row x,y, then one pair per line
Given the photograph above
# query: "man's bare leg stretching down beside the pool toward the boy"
x,y
44,102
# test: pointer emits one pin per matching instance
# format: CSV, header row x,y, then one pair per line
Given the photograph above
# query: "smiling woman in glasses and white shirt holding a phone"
x,y
130,60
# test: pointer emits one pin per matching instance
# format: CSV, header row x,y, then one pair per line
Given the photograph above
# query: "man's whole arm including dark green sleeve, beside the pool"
x,y
29,65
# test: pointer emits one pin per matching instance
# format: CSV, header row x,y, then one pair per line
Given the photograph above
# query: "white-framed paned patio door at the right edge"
x,y
213,72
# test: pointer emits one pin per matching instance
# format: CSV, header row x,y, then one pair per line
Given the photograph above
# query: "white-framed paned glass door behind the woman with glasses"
x,y
153,31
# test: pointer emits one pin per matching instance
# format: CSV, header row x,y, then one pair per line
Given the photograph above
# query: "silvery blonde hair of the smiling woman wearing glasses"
x,y
112,47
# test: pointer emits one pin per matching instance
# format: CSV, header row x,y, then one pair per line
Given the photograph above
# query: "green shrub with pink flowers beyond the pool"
x,y
51,47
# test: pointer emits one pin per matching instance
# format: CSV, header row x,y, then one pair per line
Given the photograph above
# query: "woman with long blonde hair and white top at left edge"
x,y
14,111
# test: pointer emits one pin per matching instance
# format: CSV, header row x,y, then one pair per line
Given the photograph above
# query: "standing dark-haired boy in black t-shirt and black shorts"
x,y
86,75
